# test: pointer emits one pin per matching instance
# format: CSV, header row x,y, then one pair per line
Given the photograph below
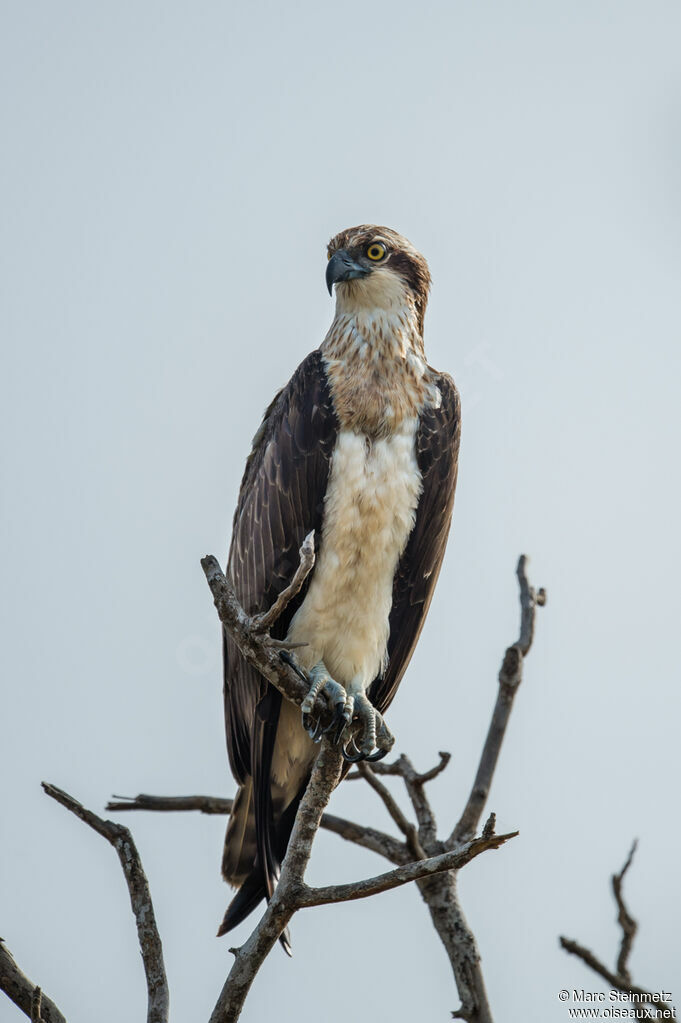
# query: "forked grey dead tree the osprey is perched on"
x,y
436,864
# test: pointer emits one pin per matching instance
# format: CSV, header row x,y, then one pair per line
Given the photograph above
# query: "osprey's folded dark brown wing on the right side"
x,y
438,455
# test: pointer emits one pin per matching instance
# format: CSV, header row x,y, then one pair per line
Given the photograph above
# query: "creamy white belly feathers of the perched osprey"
x,y
370,512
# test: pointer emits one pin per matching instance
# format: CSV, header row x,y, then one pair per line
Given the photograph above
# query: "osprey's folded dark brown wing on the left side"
x,y
281,501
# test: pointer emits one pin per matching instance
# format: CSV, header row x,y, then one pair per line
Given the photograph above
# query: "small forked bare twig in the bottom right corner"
x,y
620,978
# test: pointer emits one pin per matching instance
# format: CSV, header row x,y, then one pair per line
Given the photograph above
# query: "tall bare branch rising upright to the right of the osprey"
x,y
511,677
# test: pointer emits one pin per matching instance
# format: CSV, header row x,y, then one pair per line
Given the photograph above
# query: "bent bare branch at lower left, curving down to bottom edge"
x,y
141,900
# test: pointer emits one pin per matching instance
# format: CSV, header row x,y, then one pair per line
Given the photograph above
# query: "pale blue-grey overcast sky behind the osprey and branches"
x,y
171,174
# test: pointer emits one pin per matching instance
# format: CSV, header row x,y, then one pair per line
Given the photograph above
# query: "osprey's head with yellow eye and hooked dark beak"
x,y
377,269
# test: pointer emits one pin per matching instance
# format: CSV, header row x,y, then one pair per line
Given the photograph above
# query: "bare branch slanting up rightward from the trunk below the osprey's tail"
x,y
455,860
